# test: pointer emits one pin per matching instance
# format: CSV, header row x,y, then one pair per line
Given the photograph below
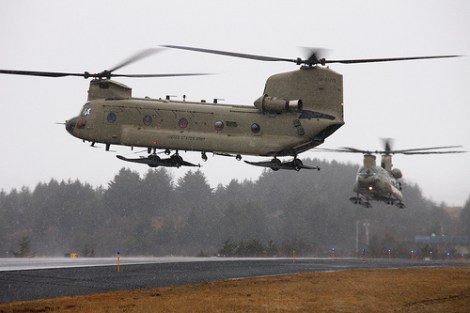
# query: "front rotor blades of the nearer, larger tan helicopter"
x,y
106,73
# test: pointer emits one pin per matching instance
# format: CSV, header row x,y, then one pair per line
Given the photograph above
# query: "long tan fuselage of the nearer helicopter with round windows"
x,y
164,124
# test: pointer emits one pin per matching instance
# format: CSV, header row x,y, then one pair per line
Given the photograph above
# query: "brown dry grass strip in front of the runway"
x,y
402,290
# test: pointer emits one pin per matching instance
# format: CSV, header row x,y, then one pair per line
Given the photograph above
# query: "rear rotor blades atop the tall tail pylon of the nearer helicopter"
x,y
313,59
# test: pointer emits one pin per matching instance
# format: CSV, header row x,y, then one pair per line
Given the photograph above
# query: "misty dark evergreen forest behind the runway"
x,y
307,213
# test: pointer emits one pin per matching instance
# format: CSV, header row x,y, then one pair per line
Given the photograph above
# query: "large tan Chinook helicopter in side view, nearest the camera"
x,y
296,111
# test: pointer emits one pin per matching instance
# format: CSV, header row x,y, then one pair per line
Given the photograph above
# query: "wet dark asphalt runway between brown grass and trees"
x,y
29,284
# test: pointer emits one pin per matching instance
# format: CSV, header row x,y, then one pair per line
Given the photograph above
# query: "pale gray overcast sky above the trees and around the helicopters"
x,y
418,103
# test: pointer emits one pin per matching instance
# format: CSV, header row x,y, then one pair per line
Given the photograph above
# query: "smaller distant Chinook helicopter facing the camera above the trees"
x,y
382,183
